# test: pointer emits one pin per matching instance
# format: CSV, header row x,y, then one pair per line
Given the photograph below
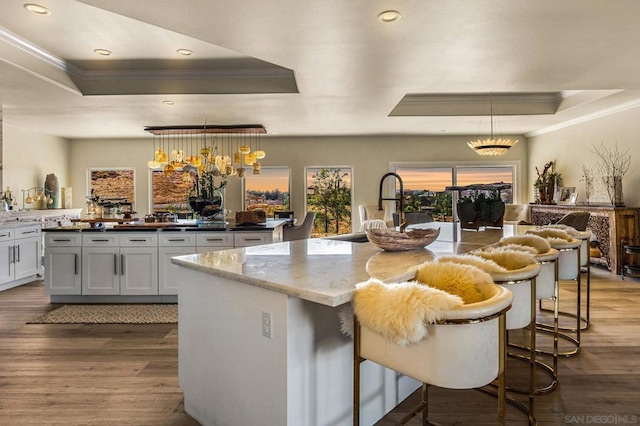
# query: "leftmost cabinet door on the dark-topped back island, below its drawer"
x,y
62,273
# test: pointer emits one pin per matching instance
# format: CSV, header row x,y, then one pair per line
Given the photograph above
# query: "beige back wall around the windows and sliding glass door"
x,y
369,156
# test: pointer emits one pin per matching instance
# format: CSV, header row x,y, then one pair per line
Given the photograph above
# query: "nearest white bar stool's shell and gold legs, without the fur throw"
x,y
463,349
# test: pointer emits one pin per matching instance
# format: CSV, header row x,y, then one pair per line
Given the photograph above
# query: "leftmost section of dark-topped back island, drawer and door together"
x,y
62,274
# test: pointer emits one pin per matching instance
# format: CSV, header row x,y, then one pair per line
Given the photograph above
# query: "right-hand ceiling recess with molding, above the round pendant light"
x,y
477,104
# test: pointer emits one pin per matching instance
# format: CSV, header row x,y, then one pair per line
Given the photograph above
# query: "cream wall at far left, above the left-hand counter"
x,y
28,157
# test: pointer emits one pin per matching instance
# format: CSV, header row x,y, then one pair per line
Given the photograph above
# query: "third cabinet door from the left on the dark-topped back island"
x,y
138,270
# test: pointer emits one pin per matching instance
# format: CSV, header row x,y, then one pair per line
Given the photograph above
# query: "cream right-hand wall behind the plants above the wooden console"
x,y
572,146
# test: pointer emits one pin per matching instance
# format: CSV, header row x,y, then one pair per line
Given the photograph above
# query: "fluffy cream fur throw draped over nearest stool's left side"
x,y
400,312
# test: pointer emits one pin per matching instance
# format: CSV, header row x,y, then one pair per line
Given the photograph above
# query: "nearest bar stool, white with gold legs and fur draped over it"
x,y
464,347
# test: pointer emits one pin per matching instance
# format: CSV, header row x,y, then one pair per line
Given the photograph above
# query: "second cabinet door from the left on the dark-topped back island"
x,y
100,270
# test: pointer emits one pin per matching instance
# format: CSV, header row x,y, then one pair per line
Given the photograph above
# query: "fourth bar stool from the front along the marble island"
x,y
569,269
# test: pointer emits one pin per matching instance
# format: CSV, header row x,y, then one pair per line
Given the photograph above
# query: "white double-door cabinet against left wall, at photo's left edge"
x,y
19,255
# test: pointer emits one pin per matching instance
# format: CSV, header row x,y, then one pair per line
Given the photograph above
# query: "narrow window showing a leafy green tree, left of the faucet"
x,y
329,195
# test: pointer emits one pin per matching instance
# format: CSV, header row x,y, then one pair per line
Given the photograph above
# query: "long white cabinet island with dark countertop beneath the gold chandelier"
x,y
130,263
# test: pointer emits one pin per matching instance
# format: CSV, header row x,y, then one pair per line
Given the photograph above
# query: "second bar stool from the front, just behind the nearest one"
x,y
518,274
